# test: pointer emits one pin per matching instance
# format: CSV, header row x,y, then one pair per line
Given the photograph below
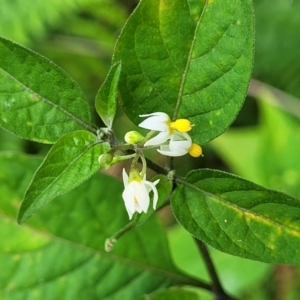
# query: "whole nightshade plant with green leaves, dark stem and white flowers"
x,y
180,69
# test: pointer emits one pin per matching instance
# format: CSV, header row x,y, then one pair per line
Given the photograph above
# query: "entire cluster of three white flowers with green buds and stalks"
x,y
171,138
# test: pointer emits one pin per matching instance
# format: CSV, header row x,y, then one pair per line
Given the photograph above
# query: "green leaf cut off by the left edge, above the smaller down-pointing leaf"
x,y
38,100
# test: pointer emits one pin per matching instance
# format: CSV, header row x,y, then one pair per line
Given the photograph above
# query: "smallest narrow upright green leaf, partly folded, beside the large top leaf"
x,y
106,99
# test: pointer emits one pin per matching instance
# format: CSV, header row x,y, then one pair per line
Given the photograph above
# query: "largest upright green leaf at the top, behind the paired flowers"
x,y
189,59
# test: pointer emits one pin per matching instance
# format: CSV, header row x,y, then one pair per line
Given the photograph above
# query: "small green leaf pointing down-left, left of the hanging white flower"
x,y
73,159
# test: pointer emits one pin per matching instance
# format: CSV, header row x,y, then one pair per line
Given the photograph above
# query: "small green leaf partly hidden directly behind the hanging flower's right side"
x,y
164,188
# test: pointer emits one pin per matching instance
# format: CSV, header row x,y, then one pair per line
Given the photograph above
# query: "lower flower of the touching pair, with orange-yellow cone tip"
x,y
180,144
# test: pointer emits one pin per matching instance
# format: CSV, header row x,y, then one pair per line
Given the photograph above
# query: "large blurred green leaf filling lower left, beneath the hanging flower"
x,y
59,254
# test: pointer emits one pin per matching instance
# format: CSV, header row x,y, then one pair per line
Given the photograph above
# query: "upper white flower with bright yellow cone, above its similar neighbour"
x,y
161,122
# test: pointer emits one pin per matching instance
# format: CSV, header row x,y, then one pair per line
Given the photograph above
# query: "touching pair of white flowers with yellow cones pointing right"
x,y
180,143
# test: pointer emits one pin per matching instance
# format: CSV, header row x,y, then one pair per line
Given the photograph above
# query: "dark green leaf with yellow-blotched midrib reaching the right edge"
x,y
239,217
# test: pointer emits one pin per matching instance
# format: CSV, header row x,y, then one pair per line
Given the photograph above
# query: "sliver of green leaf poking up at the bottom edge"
x,y
171,294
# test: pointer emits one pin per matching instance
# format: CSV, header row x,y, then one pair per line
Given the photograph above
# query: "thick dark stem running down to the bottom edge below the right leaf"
x,y
217,288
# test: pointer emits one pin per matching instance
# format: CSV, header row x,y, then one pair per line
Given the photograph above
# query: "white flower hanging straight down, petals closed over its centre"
x,y
136,193
